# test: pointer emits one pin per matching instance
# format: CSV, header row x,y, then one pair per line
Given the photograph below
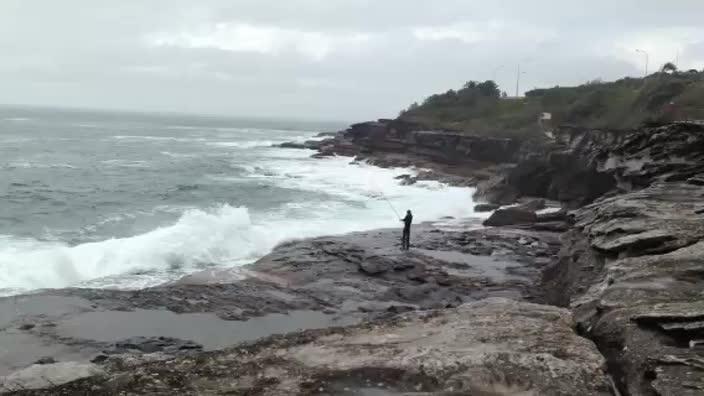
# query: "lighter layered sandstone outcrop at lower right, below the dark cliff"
x,y
635,285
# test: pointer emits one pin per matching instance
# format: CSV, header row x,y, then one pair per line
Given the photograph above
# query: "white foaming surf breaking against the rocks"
x,y
222,235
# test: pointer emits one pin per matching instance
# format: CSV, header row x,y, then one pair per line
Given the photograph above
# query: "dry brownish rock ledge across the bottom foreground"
x,y
471,349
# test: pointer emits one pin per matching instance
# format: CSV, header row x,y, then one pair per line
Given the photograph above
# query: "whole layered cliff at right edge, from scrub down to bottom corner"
x,y
632,267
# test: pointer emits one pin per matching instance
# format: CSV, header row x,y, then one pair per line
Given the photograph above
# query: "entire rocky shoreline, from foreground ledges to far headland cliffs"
x,y
604,298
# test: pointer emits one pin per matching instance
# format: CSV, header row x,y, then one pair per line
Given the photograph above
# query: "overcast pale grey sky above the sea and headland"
x,y
324,59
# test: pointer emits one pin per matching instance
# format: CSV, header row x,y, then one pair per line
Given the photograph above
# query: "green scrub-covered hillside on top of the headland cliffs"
x,y
480,108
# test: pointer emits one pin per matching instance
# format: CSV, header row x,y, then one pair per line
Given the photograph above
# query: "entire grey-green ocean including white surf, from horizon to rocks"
x,y
121,200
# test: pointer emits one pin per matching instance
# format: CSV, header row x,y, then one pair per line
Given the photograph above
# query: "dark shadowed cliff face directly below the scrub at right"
x,y
583,165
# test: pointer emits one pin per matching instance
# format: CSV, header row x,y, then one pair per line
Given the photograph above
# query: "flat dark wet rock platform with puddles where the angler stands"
x,y
323,283
